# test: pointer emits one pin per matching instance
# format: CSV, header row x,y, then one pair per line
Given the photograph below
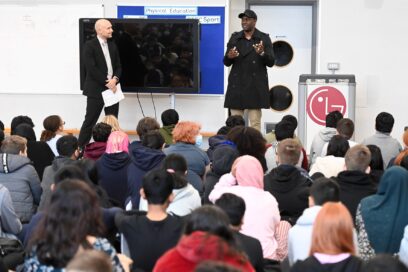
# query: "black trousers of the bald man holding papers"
x,y
94,108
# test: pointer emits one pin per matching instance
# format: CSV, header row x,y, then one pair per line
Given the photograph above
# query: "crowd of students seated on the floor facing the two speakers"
x,y
251,232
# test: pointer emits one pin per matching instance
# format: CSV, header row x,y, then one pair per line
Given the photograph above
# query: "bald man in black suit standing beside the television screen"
x,y
103,70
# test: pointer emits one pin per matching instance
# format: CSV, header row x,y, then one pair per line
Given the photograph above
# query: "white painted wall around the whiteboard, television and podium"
x,y
368,38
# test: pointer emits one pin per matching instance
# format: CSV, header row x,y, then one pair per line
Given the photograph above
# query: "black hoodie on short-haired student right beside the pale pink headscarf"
x,y
291,189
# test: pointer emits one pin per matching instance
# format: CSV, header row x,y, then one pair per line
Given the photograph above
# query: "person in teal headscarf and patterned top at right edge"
x,y
381,218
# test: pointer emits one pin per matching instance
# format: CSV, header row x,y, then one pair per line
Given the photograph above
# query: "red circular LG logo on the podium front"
x,y
322,101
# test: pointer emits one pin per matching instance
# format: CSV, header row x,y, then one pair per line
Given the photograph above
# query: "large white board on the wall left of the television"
x,y
39,49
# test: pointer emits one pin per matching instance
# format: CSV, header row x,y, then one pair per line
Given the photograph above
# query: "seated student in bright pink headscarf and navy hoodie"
x,y
113,168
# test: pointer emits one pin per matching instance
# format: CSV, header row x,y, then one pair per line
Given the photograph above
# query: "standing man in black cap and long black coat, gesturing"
x,y
249,52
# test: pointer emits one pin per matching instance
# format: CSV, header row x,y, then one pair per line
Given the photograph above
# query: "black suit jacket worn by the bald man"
x,y
96,68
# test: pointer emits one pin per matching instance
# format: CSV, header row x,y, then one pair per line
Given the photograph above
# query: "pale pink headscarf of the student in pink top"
x,y
248,172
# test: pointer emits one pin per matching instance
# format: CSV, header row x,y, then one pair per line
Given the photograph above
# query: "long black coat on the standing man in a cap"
x,y
248,86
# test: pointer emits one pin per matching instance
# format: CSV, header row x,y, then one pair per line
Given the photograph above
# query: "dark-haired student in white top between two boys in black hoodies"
x,y
333,163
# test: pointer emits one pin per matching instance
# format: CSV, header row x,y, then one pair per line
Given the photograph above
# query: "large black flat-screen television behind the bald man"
x,y
157,55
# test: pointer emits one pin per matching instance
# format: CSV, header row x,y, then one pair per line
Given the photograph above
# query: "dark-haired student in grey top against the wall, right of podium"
x,y
389,146
